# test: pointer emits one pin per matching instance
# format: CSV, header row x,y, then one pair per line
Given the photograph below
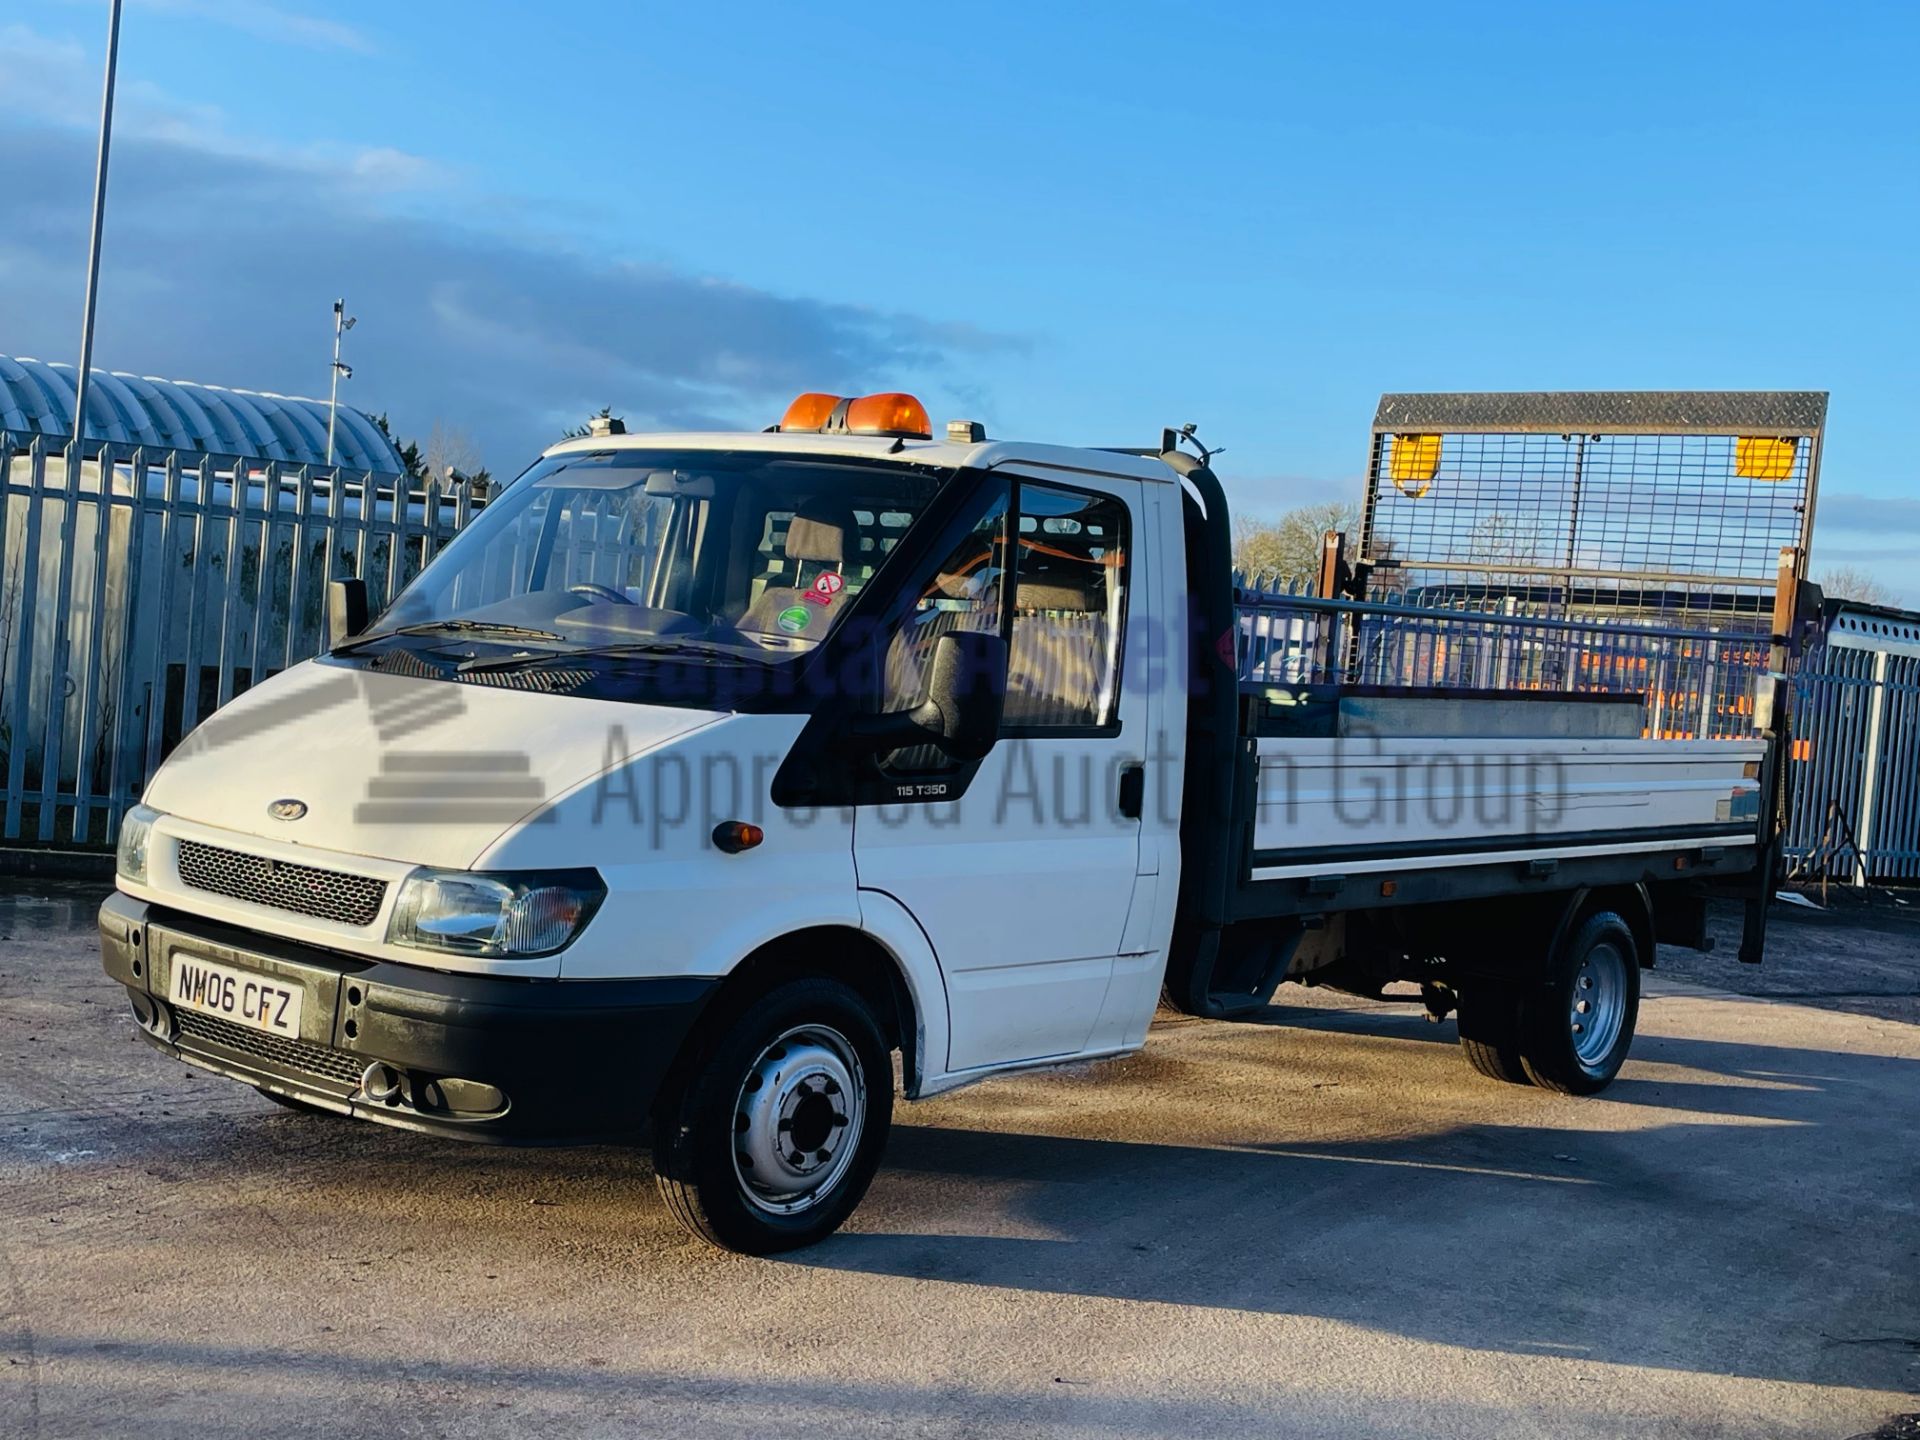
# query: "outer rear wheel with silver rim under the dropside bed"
x,y
1577,1030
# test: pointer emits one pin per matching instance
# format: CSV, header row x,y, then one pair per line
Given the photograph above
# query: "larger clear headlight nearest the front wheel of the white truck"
x,y
504,913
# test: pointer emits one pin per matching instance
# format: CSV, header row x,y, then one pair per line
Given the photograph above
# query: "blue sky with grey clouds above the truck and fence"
x,y
1074,222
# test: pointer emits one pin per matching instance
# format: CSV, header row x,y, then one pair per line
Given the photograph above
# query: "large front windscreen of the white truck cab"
x,y
752,554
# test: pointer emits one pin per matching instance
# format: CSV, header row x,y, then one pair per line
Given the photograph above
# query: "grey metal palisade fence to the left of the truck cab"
x,y
145,588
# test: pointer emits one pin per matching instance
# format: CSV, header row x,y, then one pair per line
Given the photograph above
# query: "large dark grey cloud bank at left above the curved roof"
x,y
222,262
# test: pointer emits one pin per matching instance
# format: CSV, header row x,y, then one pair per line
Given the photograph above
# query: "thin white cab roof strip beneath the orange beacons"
x,y
948,454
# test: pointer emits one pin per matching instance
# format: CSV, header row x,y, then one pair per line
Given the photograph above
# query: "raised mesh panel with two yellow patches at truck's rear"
x,y
1610,504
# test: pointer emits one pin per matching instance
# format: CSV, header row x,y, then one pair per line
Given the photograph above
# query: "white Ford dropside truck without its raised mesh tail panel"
x,y
704,773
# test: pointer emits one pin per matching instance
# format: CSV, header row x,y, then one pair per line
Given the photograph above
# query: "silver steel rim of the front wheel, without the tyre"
x,y
798,1120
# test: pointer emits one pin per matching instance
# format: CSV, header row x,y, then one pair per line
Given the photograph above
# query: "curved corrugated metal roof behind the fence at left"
x,y
37,396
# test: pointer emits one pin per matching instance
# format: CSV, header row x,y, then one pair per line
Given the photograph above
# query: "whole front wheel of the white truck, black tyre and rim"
x,y
773,1136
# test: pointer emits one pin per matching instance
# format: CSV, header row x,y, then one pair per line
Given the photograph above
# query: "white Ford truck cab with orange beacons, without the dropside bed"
x,y
836,738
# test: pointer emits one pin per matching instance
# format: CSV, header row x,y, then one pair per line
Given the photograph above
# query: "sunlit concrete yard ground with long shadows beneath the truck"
x,y
1314,1226
